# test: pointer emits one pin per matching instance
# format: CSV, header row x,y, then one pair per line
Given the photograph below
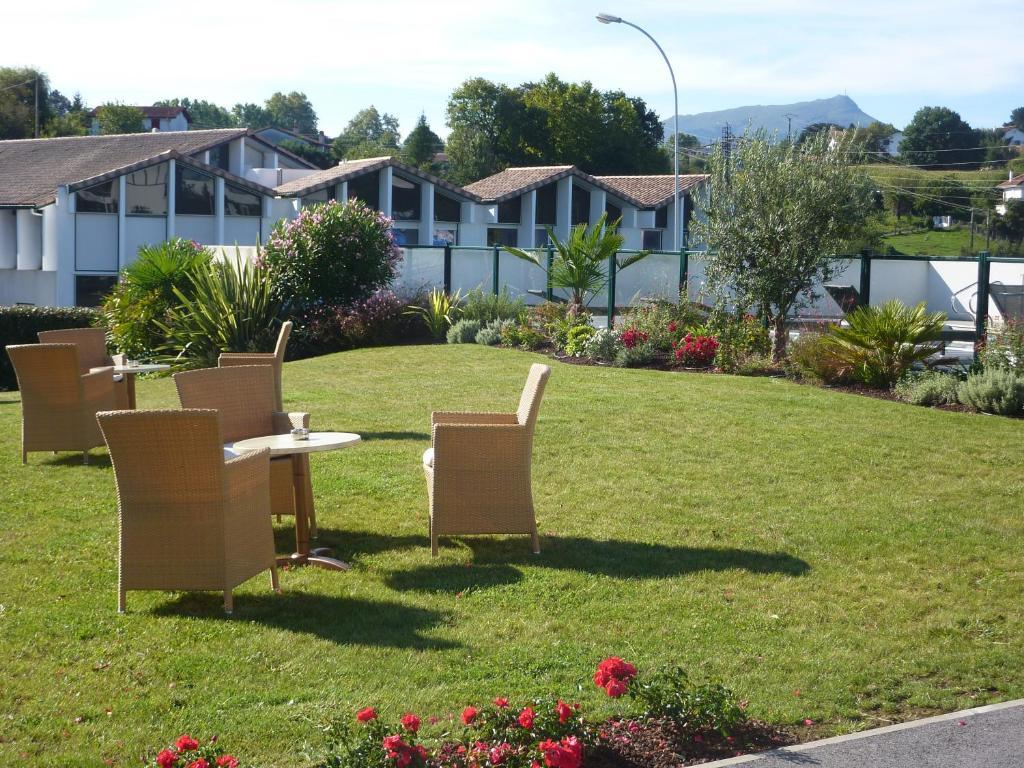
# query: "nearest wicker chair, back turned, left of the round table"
x,y
189,520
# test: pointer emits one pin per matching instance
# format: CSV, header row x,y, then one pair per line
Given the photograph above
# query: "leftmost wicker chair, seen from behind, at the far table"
x,y
59,403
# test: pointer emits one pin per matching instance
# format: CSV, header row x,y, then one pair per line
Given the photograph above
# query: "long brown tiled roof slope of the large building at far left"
x,y
33,169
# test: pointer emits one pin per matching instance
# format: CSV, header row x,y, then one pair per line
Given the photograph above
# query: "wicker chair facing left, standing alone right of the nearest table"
x,y
479,470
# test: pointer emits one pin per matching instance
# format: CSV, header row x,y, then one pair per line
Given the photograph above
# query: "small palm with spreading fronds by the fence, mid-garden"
x,y
581,263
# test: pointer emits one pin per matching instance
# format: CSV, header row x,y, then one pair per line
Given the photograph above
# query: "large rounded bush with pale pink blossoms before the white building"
x,y
331,255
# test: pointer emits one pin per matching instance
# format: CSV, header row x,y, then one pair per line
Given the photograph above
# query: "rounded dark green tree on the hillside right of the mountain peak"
x,y
937,138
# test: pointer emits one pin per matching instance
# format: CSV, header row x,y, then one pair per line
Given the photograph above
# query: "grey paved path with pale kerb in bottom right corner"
x,y
987,738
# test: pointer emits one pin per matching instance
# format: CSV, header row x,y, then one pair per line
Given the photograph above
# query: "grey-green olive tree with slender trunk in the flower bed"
x,y
775,217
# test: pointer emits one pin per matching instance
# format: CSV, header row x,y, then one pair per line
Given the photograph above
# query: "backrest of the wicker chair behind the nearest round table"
x,y
244,396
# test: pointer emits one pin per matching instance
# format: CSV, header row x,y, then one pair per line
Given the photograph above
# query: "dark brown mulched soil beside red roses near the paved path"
x,y
630,744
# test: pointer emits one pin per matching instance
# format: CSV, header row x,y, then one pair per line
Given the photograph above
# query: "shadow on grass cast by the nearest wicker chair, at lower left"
x,y
346,621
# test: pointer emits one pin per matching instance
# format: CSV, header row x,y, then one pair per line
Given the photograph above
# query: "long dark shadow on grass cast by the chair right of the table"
x,y
495,563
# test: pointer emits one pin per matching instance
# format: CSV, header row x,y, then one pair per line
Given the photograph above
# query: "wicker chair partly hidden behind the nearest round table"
x,y
245,398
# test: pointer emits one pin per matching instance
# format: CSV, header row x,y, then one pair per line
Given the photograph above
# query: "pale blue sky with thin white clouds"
x,y
406,57
